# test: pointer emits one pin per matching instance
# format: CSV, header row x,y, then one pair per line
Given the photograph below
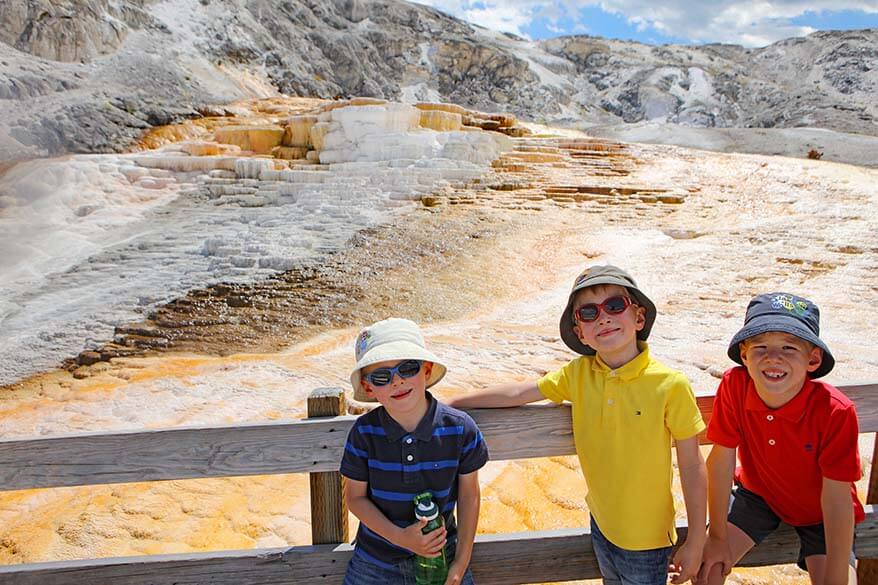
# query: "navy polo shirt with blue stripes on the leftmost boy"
x,y
399,465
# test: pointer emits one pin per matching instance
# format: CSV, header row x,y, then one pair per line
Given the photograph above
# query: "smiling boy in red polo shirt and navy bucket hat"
x,y
796,439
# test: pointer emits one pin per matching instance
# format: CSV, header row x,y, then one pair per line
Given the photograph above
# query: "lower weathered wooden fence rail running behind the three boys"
x,y
498,559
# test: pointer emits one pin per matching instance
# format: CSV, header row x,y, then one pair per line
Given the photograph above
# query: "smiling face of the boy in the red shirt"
x,y
779,364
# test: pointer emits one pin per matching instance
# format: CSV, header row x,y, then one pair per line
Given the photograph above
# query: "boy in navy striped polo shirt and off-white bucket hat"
x,y
412,443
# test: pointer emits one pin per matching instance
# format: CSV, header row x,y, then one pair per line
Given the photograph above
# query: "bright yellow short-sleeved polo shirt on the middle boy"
x,y
623,422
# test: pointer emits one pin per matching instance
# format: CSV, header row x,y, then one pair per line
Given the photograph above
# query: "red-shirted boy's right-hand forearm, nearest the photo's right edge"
x,y
838,524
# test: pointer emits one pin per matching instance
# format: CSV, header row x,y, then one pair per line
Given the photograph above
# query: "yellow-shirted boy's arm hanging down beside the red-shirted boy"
x,y
693,479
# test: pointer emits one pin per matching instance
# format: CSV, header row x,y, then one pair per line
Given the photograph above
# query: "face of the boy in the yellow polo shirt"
x,y
613,337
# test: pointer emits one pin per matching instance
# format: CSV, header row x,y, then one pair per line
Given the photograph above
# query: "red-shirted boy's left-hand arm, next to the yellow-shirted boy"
x,y
720,474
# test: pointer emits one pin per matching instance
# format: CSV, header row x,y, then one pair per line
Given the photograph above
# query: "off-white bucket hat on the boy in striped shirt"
x,y
392,340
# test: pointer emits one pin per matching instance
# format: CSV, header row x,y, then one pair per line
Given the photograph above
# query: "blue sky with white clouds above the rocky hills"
x,y
751,23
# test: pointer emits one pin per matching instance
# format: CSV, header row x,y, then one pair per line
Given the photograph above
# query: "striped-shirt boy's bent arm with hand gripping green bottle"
x,y
411,538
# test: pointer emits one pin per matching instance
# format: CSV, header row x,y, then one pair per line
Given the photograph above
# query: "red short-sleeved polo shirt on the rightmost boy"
x,y
786,452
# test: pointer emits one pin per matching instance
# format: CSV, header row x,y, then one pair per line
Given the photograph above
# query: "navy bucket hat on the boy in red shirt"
x,y
786,313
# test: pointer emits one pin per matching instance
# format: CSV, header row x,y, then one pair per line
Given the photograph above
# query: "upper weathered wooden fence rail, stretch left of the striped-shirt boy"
x,y
101,458
